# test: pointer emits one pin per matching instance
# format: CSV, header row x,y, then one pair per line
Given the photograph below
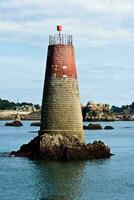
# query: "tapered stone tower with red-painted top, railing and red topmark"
x,y
61,109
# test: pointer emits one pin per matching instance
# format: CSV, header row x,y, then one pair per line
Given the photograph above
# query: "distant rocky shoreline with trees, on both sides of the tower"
x,y
91,112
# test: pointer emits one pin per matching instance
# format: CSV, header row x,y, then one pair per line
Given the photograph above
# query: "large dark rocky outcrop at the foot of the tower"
x,y
62,148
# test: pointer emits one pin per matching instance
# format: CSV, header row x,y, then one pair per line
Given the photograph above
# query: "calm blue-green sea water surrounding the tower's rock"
x,y
104,179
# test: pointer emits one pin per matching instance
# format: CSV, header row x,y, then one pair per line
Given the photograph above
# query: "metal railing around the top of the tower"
x,y
60,39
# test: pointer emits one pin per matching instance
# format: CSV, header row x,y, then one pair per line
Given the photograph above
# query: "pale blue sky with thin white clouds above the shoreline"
x,y
103,32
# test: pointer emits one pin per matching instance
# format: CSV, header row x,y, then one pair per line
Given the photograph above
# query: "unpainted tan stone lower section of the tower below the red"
x,y
61,112
